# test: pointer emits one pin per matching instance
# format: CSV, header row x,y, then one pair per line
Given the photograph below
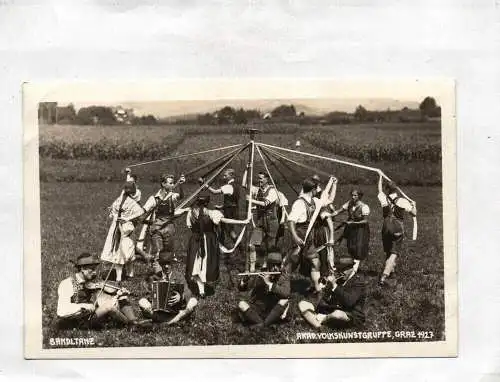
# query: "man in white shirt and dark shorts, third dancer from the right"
x,y
299,219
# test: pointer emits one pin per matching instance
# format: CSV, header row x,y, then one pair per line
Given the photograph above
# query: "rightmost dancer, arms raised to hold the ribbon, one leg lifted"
x,y
394,209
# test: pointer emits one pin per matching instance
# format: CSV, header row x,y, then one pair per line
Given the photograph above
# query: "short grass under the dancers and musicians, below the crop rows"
x,y
74,220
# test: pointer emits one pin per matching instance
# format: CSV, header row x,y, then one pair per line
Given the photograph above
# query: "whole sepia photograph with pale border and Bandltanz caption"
x,y
314,217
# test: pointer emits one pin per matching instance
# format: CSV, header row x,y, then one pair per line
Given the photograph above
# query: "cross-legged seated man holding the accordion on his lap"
x,y
178,307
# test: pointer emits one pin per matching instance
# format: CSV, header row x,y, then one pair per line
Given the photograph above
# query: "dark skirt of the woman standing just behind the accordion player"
x,y
195,244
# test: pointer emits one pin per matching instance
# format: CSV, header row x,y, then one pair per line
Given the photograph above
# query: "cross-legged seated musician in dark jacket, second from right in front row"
x,y
269,295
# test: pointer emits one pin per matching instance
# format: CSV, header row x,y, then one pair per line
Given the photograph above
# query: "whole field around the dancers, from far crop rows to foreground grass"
x,y
78,182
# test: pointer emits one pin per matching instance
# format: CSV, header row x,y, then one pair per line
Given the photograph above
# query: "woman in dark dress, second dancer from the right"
x,y
357,228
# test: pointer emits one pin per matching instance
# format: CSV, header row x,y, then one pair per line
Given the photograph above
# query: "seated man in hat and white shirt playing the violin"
x,y
83,301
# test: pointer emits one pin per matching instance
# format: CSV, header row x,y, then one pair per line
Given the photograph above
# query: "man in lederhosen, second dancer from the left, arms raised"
x,y
163,205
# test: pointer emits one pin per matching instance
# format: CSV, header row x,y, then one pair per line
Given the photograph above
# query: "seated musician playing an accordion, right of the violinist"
x,y
178,306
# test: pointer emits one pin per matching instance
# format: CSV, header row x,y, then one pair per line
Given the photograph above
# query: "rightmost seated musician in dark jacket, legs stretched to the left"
x,y
341,301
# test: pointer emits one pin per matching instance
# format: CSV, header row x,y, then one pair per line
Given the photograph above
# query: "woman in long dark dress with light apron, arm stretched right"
x,y
203,251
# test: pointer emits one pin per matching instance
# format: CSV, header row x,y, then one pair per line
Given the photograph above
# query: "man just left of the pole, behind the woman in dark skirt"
x,y
231,197
